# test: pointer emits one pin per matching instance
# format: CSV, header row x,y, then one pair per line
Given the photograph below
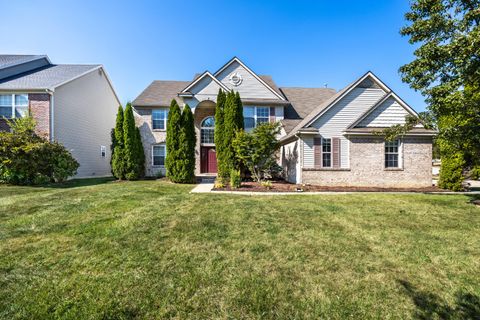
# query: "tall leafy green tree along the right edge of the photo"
x,y
446,71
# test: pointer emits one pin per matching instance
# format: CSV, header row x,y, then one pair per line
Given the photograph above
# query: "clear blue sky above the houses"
x,y
299,43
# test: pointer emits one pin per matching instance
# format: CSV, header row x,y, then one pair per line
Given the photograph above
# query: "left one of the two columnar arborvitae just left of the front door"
x,y
173,160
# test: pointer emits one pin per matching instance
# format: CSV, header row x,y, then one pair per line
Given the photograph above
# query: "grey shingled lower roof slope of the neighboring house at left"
x,y
46,77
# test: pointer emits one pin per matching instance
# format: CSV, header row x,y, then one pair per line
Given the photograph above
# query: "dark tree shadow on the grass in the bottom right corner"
x,y
431,306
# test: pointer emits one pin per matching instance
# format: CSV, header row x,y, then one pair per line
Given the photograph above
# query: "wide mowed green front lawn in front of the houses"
x,y
98,249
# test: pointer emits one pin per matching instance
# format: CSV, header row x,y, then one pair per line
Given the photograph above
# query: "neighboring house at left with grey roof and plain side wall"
x,y
71,103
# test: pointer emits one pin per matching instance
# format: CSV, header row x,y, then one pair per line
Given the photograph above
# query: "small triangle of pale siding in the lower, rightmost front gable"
x,y
389,113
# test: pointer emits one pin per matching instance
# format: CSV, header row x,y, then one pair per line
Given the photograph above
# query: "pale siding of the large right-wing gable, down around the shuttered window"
x,y
334,122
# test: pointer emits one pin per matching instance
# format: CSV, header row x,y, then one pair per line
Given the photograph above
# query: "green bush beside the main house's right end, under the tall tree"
x,y
451,172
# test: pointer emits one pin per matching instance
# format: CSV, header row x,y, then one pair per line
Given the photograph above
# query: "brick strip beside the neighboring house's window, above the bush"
x,y
39,108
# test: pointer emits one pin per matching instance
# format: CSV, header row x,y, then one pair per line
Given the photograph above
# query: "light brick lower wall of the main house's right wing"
x,y
367,166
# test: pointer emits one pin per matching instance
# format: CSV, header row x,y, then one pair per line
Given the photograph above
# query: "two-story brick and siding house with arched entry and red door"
x,y
328,138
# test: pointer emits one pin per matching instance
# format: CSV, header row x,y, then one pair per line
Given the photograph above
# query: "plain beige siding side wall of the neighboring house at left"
x,y
84,114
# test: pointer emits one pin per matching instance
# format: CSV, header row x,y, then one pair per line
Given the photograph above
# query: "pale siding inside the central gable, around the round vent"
x,y
250,88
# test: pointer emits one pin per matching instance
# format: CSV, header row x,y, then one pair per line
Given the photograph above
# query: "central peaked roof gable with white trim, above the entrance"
x,y
251,85
